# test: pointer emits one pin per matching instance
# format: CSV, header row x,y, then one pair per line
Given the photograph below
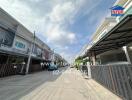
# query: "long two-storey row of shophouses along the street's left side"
x,y
19,46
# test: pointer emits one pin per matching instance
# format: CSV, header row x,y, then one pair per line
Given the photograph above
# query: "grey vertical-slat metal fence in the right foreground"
x,y
117,78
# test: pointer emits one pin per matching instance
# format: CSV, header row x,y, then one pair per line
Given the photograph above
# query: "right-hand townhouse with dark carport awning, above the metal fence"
x,y
109,46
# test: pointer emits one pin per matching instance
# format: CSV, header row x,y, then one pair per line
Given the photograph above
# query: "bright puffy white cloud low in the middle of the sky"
x,y
59,37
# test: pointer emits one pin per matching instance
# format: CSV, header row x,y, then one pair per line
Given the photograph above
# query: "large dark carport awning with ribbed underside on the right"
x,y
117,37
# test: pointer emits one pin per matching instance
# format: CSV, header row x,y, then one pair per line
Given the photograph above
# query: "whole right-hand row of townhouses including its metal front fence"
x,y
109,55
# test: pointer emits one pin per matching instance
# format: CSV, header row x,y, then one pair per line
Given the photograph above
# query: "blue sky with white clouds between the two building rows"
x,y
65,25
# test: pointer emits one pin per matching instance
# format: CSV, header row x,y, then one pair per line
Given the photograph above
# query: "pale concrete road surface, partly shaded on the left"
x,y
69,84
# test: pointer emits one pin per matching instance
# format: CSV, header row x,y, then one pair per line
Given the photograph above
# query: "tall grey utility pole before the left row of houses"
x,y
30,53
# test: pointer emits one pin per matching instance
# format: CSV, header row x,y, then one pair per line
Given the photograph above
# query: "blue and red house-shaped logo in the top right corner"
x,y
117,11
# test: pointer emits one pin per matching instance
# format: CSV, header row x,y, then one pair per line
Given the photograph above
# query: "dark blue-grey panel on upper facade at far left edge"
x,y
6,37
